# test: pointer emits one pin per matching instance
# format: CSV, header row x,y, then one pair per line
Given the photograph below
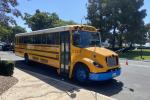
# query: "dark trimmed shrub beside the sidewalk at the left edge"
x,y
6,68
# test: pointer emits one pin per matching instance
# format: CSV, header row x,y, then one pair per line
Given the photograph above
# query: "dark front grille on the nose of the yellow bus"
x,y
112,61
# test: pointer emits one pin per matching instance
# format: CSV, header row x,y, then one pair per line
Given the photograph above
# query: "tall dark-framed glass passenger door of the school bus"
x,y
65,53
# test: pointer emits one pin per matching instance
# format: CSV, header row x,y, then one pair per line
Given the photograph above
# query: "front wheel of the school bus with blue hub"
x,y
81,74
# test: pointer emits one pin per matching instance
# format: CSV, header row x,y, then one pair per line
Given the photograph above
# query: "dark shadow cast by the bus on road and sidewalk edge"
x,y
106,88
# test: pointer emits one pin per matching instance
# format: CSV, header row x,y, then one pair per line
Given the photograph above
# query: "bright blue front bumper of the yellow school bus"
x,y
104,76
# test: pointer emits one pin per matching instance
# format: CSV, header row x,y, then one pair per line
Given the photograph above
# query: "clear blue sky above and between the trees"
x,y
66,9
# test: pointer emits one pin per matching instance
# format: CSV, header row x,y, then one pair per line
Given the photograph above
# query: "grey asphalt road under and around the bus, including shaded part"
x,y
133,84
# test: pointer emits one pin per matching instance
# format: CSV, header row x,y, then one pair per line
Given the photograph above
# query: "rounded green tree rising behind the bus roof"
x,y
42,20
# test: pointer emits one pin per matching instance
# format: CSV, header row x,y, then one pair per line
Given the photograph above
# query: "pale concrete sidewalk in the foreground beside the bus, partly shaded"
x,y
32,88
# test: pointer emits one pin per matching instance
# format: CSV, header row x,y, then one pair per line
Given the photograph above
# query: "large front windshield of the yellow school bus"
x,y
85,39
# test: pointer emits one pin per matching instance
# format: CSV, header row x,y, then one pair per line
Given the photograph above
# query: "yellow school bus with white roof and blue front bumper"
x,y
74,50
